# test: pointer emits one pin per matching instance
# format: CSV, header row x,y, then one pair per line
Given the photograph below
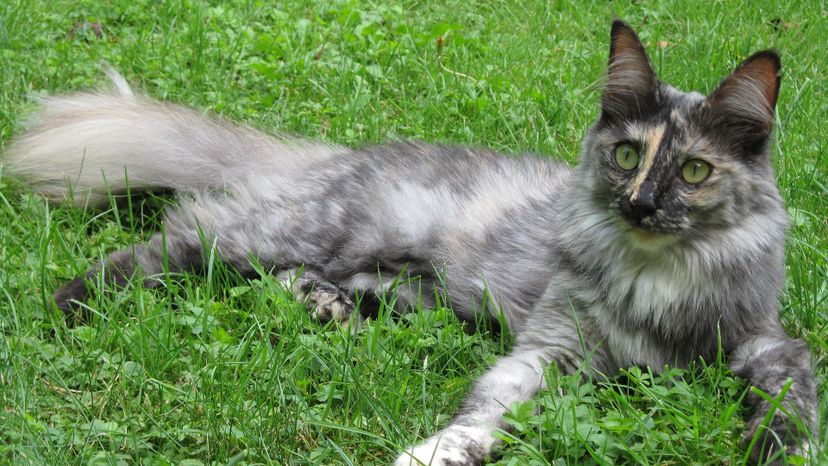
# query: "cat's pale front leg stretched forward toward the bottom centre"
x,y
515,378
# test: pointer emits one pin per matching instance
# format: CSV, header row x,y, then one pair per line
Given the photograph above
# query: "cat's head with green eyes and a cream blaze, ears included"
x,y
669,164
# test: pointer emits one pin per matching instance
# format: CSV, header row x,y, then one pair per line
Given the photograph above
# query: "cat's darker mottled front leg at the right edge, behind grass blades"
x,y
768,362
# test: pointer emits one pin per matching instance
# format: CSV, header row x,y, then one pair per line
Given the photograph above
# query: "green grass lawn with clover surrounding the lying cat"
x,y
222,369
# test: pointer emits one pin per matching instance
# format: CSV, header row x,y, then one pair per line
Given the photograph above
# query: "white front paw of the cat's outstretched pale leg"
x,y
452,447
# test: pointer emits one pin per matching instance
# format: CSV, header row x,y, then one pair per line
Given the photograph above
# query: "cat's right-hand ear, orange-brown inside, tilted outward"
x,y
743,104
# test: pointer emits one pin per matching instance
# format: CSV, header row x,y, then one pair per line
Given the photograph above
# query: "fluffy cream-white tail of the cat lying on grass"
x,y
92,144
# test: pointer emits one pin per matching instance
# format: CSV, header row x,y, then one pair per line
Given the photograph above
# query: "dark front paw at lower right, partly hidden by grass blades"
x,y
775,441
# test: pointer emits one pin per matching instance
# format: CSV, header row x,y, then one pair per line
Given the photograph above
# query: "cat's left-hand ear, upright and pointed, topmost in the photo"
x,y
632,87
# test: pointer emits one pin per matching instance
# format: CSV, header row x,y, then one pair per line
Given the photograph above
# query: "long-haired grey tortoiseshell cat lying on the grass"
x,y
665,244
